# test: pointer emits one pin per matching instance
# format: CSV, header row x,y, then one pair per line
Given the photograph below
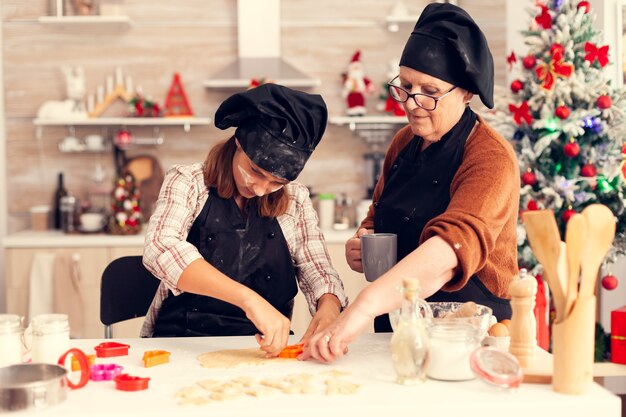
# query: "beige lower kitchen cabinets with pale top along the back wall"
x,y
94,252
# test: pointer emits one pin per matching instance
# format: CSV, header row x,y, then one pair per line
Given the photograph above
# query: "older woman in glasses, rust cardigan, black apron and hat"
x,y
449,189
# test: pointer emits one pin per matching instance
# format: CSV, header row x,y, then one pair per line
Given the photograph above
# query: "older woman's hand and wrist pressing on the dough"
x,y
332,342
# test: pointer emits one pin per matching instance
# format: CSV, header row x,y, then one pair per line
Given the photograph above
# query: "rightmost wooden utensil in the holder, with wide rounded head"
x,y
600,234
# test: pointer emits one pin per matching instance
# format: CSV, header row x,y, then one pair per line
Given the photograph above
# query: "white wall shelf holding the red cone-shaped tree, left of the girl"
x,y
185,122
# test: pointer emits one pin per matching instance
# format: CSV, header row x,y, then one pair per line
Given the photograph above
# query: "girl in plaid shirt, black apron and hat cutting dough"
x,y
231,238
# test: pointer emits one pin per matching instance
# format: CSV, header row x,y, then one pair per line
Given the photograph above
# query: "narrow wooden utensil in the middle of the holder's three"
x,y
575,238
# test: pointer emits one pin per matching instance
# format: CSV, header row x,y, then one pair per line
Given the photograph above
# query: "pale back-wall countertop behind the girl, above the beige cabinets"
x,y
55,238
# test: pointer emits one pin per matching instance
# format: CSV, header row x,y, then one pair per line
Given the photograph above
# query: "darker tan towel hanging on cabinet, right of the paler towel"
x,y
67,296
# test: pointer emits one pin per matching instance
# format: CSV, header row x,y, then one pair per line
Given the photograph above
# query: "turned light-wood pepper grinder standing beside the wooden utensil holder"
x,y
523,324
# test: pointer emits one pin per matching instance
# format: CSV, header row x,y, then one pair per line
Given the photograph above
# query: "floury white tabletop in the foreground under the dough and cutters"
x,y
368,364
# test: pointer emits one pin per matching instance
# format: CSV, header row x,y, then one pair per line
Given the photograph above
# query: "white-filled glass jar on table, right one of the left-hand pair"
x,y
50,337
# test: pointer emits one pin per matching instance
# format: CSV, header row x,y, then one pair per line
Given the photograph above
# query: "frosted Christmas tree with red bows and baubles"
x,y
565,120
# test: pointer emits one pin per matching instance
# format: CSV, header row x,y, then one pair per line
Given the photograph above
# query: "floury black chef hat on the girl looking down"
x,y
277,127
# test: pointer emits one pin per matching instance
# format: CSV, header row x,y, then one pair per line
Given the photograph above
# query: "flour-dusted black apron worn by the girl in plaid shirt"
x,y
251,250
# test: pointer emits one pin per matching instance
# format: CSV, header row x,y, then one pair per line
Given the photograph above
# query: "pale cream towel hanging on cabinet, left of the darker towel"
x,y
41,294
